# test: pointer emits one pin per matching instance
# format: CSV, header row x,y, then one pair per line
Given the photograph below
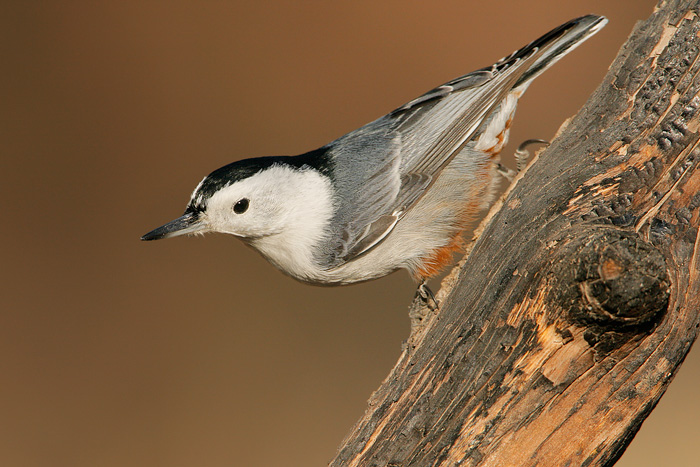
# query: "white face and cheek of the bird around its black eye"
x,y
277,200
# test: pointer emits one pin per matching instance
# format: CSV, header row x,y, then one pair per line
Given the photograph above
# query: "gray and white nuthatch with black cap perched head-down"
x,y
397,193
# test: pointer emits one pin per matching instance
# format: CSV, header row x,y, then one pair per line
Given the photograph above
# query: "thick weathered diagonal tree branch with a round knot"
x,y
562,328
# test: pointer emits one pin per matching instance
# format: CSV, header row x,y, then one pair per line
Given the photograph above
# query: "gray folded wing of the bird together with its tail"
x,y
382,169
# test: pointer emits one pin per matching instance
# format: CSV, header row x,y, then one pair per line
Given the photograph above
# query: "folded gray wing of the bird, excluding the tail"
x,y
402,171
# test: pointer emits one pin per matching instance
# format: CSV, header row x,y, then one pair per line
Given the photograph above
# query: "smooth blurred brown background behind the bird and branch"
x,y
115,352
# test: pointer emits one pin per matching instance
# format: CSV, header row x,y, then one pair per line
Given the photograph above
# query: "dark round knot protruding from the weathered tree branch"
x,y
617,280
